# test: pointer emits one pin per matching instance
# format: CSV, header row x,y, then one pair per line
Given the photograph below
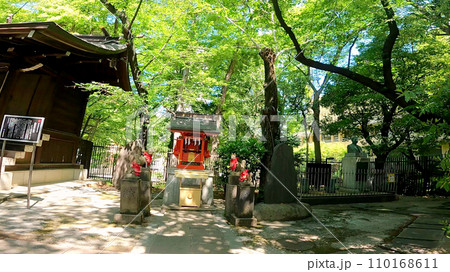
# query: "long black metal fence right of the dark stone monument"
x,y
398,175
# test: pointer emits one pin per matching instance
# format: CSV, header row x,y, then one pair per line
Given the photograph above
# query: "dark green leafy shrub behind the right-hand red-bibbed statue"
x,y
250,150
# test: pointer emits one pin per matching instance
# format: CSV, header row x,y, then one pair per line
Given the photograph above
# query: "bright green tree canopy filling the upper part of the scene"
x,y
184,49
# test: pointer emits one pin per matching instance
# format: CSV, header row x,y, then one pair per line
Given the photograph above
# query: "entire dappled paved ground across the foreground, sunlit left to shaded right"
x,y
77,217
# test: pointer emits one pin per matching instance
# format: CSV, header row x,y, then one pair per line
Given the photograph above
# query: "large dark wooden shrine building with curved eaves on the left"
x,y
40,64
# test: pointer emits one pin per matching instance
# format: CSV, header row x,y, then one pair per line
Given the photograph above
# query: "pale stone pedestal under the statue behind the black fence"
x,y
355,177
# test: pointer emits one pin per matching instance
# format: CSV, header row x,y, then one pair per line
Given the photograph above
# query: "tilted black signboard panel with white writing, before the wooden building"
x,y
25,129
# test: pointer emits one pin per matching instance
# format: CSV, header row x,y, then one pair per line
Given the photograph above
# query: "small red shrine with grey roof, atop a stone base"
x,y
191,146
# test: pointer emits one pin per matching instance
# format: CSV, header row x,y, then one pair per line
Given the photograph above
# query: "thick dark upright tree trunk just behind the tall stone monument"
x,y
270,129
